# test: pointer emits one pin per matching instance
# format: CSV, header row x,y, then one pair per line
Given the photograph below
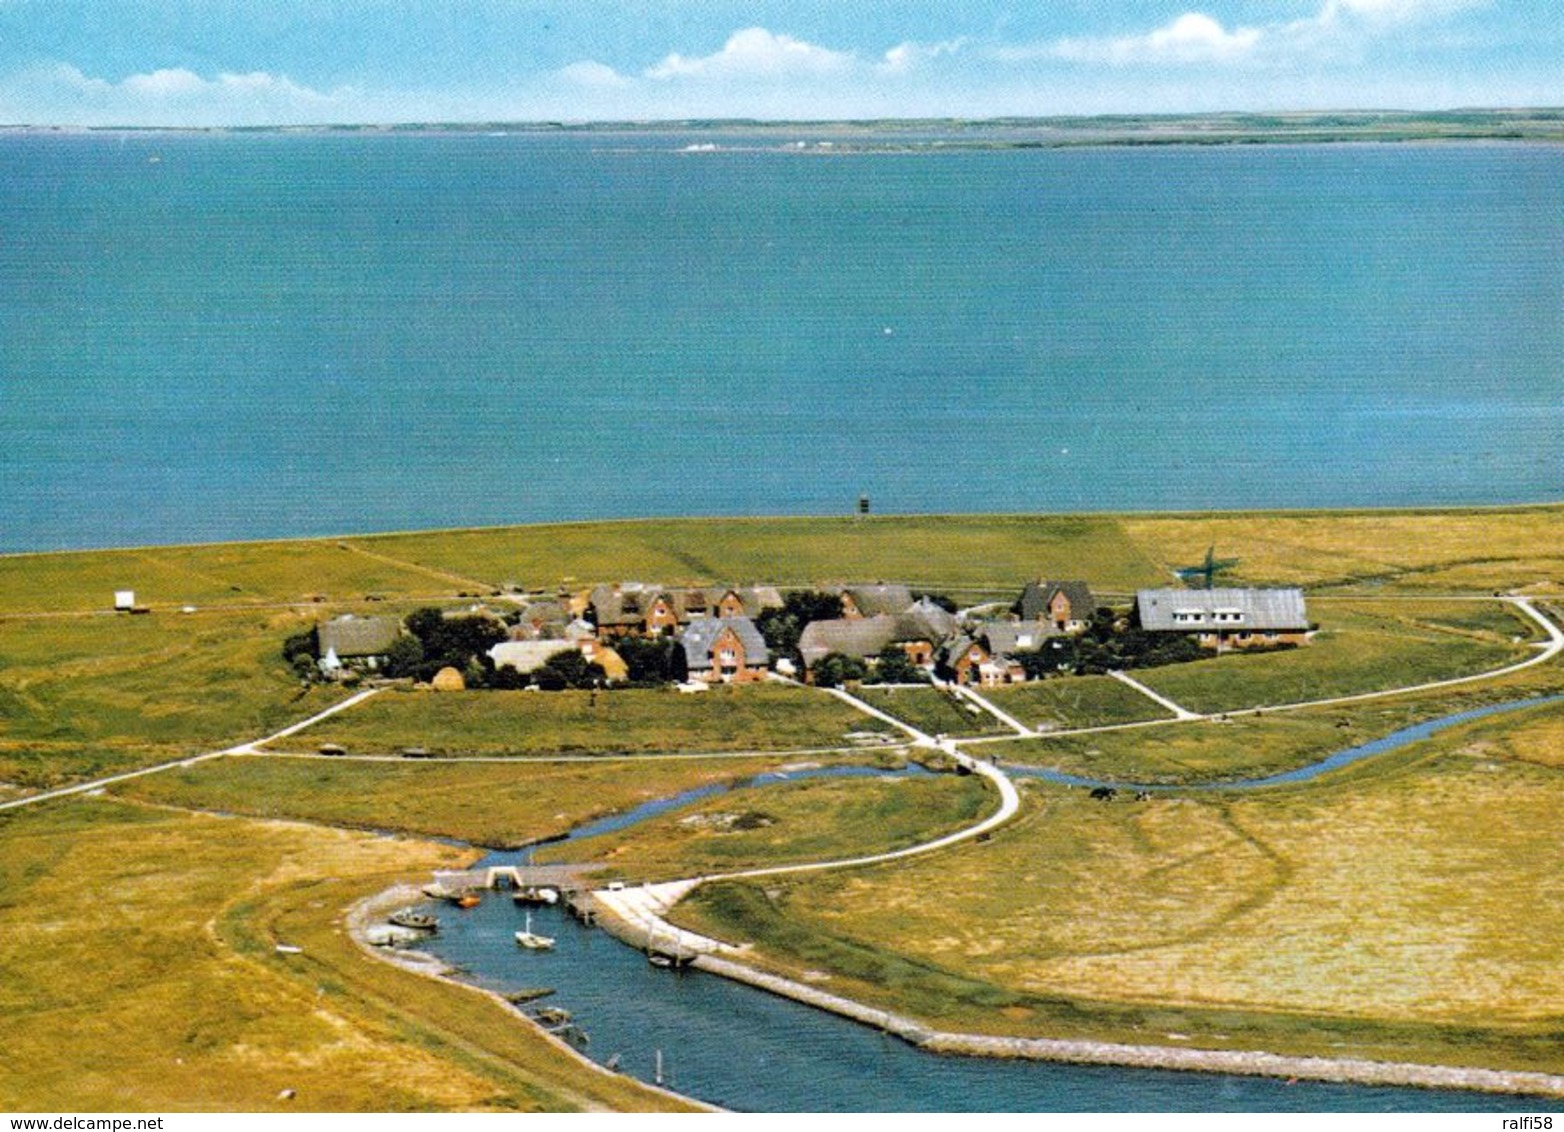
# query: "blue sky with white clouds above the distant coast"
x,y
212,63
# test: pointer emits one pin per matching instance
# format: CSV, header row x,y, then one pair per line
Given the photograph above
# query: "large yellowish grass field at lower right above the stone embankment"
x,y
1374,915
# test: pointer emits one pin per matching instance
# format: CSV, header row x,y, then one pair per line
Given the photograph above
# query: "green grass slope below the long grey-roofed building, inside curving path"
x,y
1361,647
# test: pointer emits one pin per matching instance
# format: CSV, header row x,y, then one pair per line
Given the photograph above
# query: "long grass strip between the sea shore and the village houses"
x,y
1412,551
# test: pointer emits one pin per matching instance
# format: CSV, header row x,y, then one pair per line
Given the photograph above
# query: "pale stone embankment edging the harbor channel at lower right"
x,y
1249,1064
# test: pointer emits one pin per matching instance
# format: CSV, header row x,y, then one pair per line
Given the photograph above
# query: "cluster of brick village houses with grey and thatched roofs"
x,y
722,640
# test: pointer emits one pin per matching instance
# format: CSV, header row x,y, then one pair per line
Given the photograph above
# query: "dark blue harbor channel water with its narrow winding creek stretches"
x,y
747,1050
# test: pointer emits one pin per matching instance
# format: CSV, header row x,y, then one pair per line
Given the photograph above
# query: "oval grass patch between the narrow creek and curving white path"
x,y
795,823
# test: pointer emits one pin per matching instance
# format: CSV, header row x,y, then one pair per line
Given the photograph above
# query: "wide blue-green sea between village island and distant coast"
x,y
215,337
